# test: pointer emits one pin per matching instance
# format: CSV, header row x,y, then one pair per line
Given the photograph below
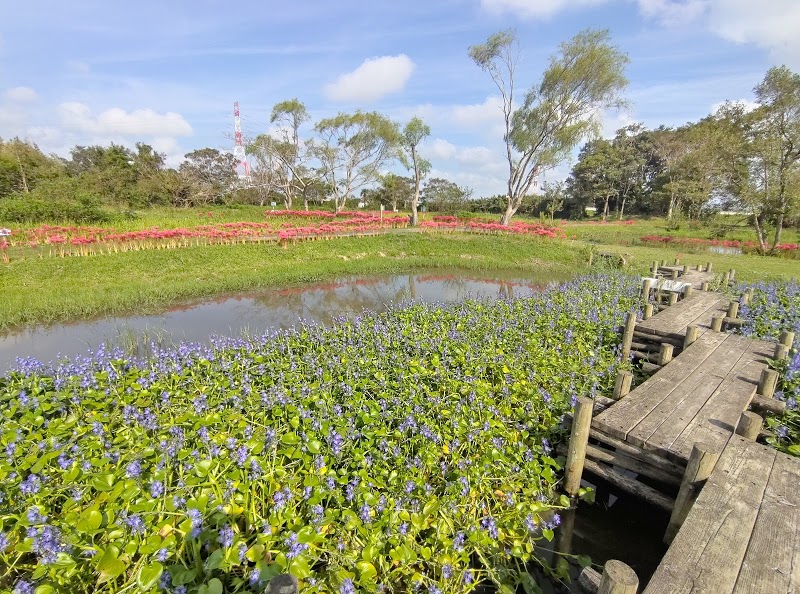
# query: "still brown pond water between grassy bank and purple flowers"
x,y
257,312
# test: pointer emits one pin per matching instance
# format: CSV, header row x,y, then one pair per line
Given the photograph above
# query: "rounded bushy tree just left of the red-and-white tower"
x,y
210,174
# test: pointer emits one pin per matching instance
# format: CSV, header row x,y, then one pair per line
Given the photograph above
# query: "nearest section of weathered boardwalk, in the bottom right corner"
x,y
742,535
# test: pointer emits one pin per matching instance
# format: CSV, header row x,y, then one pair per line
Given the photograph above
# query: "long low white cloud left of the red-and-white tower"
x,y
116,121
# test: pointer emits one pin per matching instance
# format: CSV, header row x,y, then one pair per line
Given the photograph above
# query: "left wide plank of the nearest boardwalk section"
x,y
708,551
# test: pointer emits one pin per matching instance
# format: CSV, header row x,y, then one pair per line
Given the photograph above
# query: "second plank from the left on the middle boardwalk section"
x,y
667,421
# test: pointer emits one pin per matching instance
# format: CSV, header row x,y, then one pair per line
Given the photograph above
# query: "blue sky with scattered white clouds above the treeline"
x,y
167,72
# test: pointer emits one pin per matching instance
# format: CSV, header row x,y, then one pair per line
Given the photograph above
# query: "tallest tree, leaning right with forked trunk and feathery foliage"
x,y
585,77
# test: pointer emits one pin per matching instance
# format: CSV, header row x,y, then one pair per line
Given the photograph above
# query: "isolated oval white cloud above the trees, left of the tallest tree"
x,y
375,78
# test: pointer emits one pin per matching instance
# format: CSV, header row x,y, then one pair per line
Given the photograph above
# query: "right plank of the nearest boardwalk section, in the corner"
x,y
772,561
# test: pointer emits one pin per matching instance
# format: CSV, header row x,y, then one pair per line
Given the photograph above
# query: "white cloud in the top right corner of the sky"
x,y
770,24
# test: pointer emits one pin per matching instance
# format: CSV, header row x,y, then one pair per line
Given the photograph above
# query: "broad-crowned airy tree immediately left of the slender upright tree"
x,y
352,149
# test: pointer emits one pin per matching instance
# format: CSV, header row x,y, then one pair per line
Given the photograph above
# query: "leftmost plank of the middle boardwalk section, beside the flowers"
x,y
625,414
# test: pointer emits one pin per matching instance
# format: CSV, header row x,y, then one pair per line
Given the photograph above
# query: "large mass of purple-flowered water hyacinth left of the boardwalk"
x,y
389,446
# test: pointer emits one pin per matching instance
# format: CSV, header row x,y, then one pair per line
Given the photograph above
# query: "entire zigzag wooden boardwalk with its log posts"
x,y
687,433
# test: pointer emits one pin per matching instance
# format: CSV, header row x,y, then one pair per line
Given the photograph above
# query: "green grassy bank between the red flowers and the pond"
x,y
53,289
